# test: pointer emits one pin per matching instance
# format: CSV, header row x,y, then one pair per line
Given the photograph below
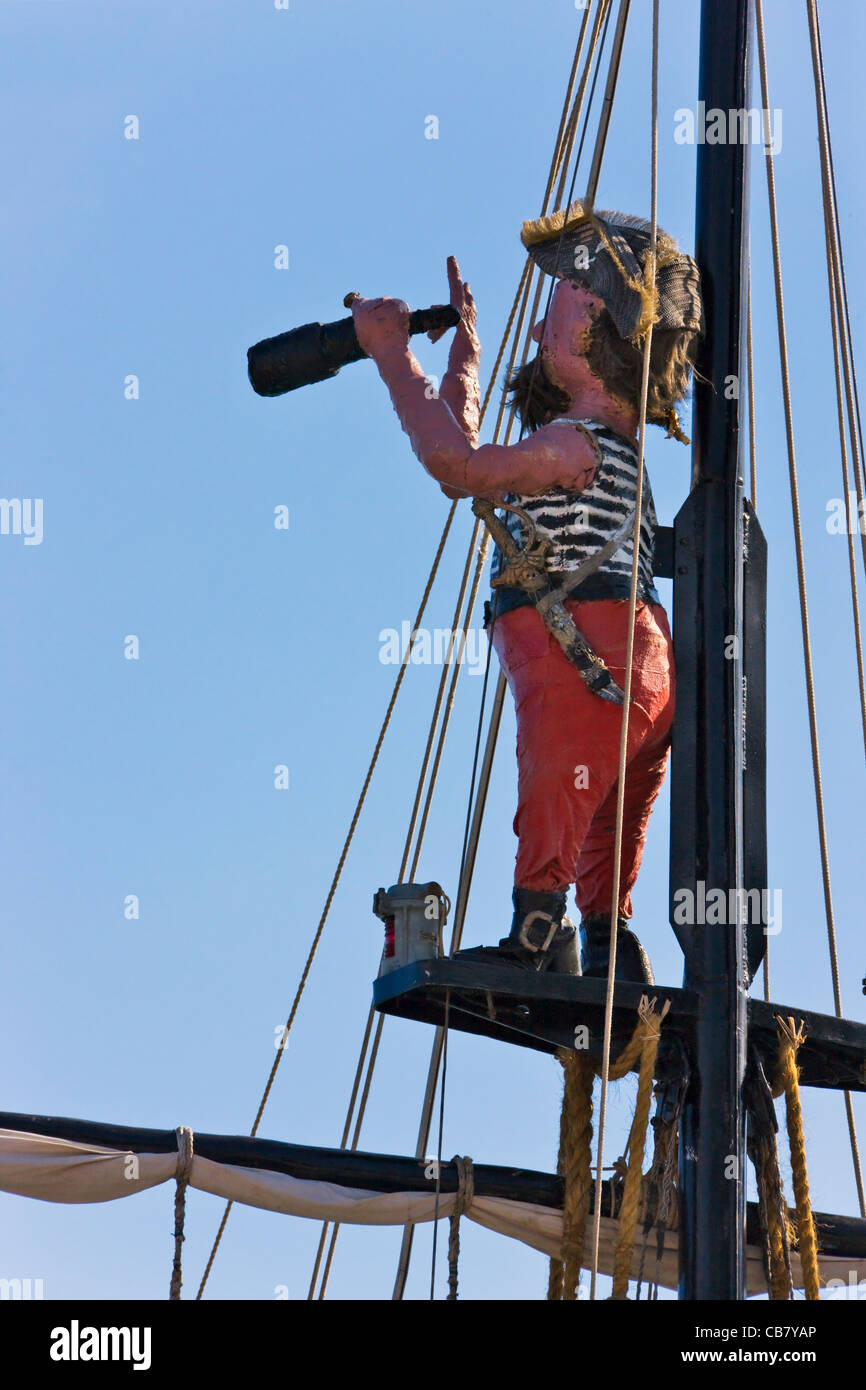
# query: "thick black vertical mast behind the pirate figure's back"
x,y
711,801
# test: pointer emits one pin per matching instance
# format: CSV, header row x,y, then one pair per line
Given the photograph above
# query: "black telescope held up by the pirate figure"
x,y
316,352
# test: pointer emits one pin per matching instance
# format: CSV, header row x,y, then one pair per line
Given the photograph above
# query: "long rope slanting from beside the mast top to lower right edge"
x,y
801,579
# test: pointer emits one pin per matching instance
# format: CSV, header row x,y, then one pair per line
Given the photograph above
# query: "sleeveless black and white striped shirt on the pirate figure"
x,y
579,525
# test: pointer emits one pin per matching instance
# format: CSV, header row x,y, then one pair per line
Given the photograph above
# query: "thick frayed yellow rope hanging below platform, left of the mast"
x,y
575,1163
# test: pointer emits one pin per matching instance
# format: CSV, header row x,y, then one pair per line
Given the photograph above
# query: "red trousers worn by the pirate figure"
x,y
569,749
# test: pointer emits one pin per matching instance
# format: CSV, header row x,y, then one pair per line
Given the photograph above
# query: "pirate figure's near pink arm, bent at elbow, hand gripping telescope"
x,y
553,457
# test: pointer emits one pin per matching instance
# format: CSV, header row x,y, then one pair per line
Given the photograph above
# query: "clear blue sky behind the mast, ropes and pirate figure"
x,y
259,647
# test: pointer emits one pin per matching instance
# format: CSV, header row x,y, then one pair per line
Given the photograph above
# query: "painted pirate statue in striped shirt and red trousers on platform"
x,y
562,571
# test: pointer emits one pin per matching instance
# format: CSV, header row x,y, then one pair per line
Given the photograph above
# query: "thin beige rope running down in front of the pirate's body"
x,y
621,801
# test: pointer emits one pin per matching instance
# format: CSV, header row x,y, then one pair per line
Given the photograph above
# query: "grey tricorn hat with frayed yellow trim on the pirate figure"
x,y
607,254
